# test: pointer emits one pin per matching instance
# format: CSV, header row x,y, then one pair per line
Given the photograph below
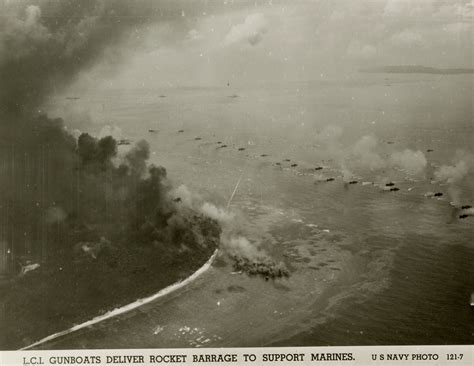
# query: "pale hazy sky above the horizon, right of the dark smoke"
x,y
212,42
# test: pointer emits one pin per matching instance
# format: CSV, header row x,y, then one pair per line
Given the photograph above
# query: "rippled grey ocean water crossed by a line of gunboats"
x,y
369,267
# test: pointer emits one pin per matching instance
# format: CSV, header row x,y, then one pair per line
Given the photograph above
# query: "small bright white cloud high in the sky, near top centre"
x,y
251,30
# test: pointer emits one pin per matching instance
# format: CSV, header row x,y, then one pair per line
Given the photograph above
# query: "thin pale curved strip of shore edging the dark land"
x,y
126,308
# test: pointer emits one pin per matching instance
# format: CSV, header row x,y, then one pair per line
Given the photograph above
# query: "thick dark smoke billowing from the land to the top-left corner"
x,y
60,188
